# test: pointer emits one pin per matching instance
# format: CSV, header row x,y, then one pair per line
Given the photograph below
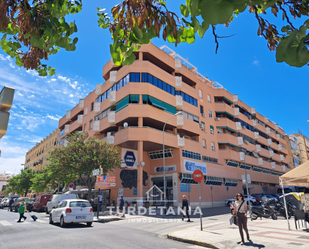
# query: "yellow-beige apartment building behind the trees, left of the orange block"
x,y
36,157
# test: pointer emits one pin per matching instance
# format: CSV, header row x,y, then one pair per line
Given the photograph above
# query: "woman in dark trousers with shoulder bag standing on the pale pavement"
x,y
240,210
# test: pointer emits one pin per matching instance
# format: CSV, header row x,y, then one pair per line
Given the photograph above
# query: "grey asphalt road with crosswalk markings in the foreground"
x,y
147,233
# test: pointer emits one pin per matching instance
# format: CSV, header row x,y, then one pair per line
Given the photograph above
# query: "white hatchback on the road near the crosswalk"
x,y
72,211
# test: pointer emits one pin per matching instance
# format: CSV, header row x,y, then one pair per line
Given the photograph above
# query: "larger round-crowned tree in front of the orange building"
x,y
80,157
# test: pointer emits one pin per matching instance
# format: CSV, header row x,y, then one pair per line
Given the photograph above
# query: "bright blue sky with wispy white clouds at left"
x,y
244,66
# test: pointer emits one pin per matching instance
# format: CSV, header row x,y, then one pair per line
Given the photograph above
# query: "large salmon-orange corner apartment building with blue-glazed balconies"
x,y
216,132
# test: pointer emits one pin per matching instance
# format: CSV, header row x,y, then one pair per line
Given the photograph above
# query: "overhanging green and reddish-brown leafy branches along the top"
x,y
34,32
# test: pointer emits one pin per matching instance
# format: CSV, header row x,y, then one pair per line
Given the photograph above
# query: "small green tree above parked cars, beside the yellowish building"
x,y
21,183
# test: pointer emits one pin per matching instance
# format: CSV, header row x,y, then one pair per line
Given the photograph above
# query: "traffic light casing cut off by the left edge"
x,y
6,101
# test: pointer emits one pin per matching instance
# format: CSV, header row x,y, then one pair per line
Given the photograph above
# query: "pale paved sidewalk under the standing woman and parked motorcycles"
x,y
265,233
